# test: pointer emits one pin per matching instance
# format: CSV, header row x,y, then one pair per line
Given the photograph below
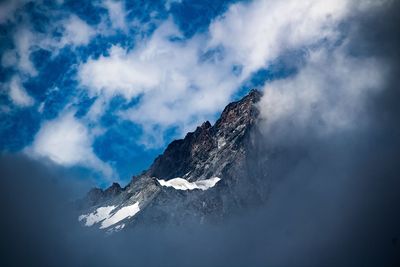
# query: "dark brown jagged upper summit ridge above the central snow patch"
x,y
182,155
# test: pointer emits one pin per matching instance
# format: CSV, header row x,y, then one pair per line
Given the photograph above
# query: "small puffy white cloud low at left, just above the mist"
x,y
67,141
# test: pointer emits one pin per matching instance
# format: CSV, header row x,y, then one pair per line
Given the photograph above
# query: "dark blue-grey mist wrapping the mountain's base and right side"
x,y
334,198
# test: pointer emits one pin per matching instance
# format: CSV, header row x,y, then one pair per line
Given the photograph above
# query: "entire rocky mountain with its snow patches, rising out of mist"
x,y
210,174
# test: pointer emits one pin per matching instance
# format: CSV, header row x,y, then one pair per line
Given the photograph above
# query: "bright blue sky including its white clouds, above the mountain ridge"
x,y
105,85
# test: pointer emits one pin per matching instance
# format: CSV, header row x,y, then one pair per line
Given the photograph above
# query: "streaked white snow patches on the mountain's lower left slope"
x,y
103,215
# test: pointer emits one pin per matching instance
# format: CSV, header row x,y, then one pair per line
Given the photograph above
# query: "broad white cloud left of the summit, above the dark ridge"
x,y
177,89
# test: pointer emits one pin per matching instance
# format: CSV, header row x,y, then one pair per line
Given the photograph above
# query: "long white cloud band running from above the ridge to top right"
x,y
180,89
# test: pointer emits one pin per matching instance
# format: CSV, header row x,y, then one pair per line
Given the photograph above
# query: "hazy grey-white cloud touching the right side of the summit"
x,y
326,96
